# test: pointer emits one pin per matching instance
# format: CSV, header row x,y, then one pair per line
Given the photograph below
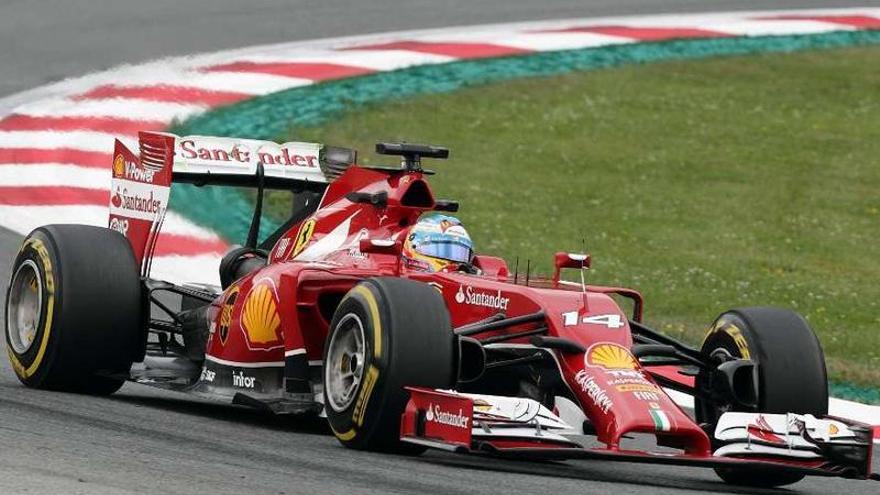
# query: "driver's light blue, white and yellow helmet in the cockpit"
x,y
437,243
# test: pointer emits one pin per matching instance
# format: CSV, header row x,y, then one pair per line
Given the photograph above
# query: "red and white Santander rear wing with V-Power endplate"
x,y
141,185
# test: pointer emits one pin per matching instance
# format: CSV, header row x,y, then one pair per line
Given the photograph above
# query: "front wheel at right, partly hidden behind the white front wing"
x,y
791,374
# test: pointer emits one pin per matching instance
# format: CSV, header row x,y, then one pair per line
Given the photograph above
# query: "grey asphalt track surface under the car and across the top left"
x,y
145,441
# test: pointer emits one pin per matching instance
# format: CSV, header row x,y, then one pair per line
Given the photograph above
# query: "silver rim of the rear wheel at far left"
x,y
24,307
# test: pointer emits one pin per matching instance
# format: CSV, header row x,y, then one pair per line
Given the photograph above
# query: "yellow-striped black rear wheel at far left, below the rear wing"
x,y
74,310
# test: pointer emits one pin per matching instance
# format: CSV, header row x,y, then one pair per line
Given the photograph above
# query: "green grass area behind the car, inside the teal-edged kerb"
x,y
706,184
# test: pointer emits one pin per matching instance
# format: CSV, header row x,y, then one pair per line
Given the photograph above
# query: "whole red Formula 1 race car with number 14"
x,y
369,306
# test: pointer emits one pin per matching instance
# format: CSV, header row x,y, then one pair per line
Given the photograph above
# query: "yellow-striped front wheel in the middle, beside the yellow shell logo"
x,y
387,333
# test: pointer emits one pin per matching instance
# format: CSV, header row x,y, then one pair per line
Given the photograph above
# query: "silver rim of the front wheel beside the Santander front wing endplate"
x,y
344,368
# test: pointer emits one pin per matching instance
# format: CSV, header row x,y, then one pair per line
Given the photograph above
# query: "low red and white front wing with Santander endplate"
x,y
522,428
